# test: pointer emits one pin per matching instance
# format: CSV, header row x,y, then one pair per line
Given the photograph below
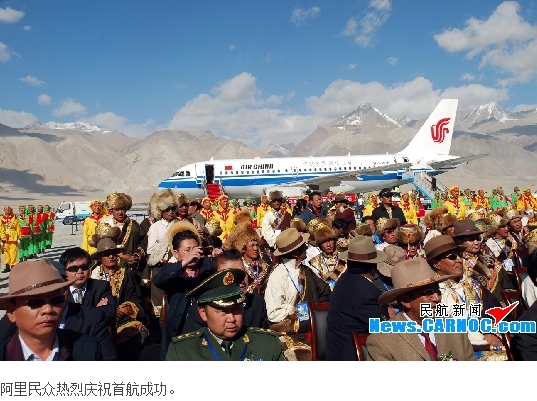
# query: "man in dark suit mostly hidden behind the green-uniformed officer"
x,y
255,309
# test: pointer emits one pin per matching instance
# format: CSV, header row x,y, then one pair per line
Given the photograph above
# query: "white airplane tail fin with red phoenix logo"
x,y
435,135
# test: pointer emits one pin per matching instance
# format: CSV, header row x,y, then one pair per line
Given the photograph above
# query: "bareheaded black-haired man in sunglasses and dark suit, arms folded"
x,y
85,290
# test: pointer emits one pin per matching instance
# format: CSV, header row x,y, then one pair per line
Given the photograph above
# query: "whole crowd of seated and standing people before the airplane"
x,y
203,280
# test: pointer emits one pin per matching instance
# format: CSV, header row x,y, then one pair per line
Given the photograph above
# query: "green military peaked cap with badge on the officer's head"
x,y
221,289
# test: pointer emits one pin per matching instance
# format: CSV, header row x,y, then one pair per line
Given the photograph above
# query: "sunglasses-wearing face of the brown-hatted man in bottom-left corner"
x,y
35,321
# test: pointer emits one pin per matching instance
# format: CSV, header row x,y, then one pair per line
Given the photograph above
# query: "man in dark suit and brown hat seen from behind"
x,y
354,299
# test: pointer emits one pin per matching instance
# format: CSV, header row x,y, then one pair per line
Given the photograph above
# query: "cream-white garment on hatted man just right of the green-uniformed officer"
x,y
281,294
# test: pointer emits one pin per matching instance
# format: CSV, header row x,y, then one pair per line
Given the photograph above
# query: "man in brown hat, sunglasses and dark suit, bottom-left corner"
x,y
35,304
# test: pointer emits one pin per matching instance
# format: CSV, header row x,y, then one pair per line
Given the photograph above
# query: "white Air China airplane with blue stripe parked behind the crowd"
x,y
241,178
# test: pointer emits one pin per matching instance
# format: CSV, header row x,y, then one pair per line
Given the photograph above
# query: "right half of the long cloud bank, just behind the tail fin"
x,y
415,99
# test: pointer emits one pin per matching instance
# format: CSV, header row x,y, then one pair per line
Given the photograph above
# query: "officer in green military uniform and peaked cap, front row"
x,y
220,301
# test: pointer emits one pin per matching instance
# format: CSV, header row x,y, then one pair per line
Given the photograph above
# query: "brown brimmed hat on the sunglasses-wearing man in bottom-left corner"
x,y
33,278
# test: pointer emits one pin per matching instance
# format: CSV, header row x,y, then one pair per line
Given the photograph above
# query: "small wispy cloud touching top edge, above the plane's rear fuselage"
x,y
364,31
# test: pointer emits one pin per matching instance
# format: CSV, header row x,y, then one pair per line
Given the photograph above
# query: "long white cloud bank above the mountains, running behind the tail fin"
x,y
237,109
